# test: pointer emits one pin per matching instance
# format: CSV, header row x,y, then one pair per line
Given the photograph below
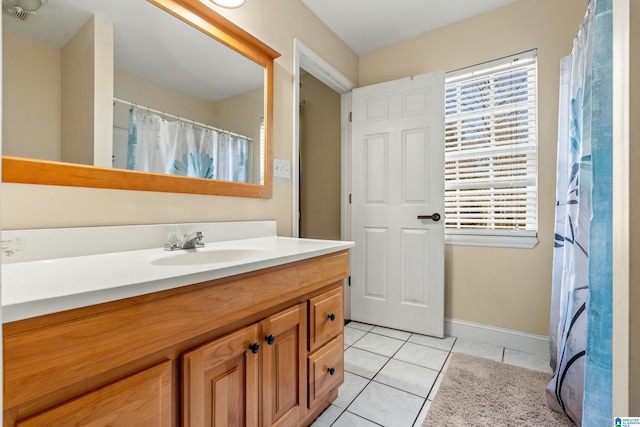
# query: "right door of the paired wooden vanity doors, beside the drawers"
x,y
284,369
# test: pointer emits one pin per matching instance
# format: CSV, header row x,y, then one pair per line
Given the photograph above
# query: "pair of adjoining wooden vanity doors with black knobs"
x,y
221,383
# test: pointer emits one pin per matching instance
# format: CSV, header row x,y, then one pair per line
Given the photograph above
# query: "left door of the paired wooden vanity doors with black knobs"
x,y
220,382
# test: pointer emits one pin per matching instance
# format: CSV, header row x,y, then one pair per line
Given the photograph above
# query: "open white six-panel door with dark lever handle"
x,y
397,270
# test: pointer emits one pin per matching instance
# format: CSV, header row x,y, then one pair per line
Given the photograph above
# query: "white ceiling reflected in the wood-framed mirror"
x,y
151,44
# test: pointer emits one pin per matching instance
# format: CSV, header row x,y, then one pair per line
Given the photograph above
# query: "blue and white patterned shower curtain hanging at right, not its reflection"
x,y
576,320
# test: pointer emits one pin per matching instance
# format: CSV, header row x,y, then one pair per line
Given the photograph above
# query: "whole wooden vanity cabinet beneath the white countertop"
x,y
184,357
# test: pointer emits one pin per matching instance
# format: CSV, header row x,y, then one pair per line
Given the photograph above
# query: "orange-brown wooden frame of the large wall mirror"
x,y
195,16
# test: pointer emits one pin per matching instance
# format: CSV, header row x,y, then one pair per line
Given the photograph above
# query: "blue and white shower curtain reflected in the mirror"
x,y
181,148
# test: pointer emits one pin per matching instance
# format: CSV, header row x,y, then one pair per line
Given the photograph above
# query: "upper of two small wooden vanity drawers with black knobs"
x,y
326,317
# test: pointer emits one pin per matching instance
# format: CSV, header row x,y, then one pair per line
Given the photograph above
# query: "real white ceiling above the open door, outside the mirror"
x,y
368,25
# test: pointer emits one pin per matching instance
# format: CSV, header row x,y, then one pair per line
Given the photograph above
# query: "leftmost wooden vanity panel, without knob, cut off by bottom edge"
x,y
143,399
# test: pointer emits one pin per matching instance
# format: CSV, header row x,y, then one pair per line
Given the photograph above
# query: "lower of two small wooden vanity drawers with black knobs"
x,y
326,369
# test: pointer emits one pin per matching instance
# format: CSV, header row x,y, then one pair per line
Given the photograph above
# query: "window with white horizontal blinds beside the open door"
x,y
491,153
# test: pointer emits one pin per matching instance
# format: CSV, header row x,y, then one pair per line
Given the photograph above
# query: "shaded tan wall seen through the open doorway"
x,y
320,177
